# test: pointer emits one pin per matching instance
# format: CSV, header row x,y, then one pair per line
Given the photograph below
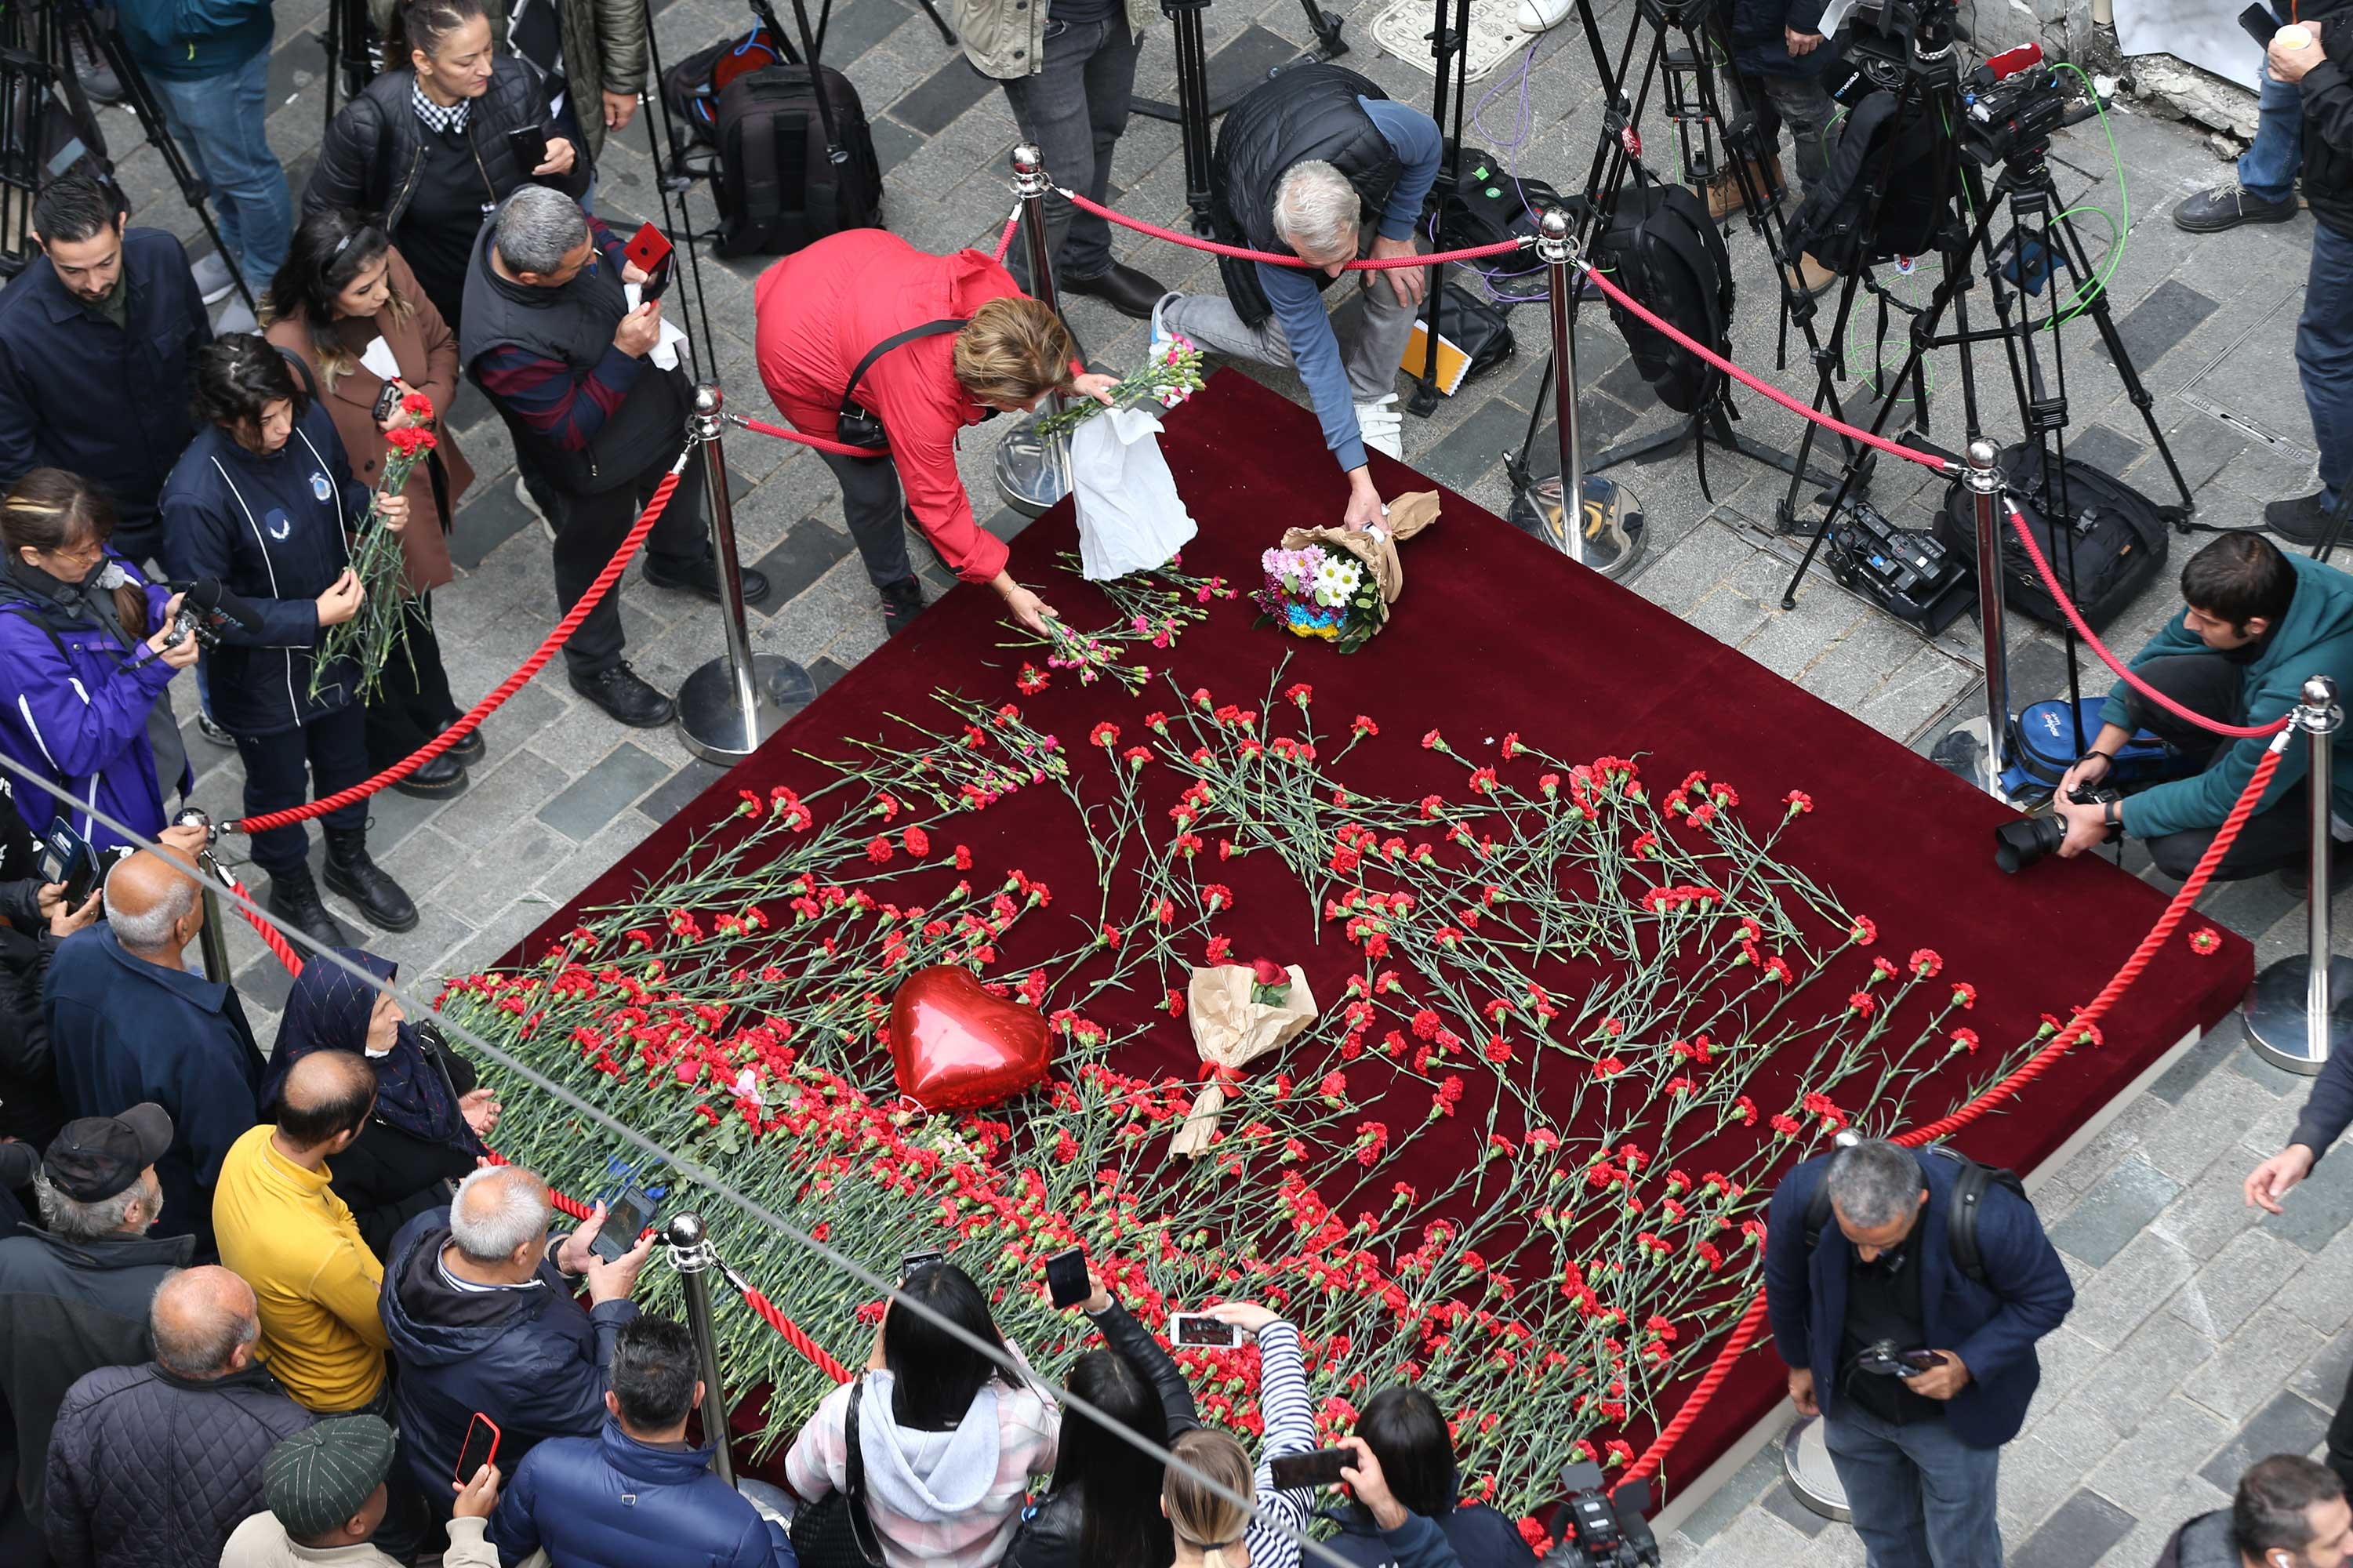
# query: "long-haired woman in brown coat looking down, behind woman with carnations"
x,y
349,307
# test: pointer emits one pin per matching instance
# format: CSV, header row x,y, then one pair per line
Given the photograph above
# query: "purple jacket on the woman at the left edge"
x,y
74,707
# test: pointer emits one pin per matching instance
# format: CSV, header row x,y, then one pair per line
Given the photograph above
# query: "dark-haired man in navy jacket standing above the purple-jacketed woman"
x,y
95,357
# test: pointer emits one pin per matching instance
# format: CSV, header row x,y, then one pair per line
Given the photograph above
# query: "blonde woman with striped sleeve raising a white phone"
x,y
1211,1475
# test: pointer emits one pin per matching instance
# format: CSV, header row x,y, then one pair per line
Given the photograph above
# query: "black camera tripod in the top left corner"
x,y
48,126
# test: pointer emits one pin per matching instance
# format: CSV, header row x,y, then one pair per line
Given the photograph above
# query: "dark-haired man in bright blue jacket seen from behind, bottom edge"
x,y
636,1494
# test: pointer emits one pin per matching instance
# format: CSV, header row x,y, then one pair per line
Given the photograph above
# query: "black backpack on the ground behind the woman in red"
x,y
775,185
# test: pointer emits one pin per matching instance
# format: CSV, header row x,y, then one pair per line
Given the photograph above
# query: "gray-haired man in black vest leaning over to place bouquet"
x,y
1305,168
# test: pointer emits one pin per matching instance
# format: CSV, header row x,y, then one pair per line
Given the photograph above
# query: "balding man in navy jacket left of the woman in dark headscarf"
x,y
131,1025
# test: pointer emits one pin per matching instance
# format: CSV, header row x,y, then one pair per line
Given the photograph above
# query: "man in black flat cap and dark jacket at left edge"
x,y
76,1296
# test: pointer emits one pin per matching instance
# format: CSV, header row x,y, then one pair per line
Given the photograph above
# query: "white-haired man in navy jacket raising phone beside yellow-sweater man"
x,y
481,1313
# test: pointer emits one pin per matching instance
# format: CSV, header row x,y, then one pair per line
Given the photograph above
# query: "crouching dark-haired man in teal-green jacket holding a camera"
x,y
2255,627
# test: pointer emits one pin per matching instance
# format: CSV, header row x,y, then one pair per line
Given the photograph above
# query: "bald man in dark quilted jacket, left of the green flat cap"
x,y
154,1466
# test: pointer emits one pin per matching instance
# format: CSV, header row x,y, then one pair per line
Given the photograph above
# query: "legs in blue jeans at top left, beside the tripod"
x,y
211,62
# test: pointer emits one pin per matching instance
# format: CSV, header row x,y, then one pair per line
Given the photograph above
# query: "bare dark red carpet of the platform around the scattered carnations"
x,y
1493,637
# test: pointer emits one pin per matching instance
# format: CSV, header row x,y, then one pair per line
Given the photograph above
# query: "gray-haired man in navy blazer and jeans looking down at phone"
x,y
1907,1296
